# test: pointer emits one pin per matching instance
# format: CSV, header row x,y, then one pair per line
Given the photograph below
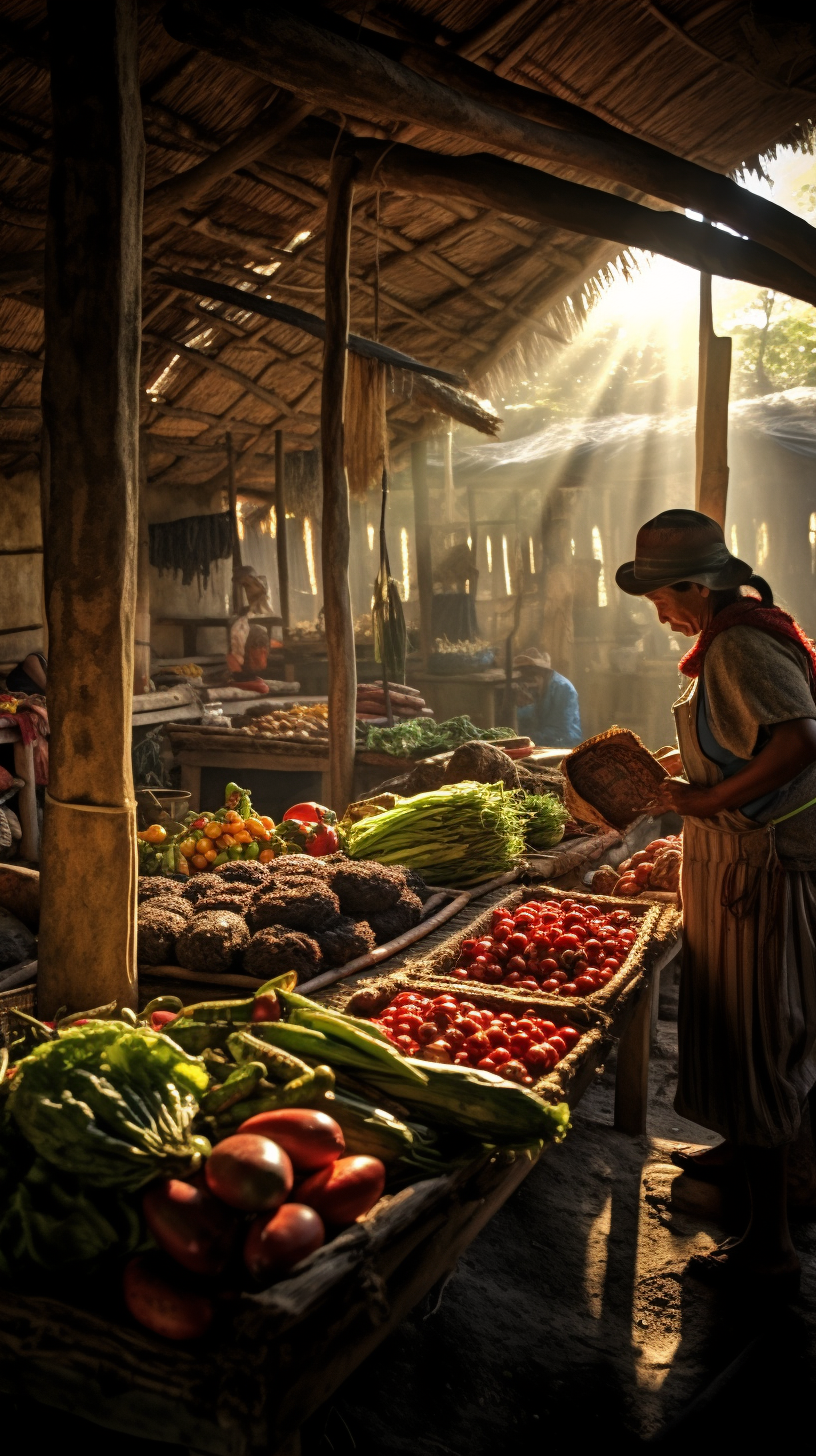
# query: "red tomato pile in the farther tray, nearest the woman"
x,y
560,947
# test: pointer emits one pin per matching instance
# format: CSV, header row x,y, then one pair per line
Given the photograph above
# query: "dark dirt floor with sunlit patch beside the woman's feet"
x,y
569,1320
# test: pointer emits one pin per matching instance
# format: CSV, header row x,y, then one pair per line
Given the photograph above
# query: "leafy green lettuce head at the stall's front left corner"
x,y
111,1104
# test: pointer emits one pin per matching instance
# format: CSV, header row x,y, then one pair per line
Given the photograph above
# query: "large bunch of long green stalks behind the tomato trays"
x,y
454,836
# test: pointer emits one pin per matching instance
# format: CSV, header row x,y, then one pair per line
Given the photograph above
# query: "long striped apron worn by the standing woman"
x,y
747,1021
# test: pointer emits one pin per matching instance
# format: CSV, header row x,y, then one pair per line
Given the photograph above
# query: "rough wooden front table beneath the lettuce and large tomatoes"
x,y
276,1356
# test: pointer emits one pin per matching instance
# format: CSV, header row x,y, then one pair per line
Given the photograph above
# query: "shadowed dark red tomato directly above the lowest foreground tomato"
x,y
190,1225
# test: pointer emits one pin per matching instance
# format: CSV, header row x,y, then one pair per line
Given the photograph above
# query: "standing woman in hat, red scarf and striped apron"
x,y
747,733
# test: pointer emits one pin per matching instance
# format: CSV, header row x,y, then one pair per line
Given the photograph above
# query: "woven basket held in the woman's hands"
x,y
611,778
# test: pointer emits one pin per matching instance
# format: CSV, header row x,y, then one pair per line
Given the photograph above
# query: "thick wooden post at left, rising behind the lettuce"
x,y
91,410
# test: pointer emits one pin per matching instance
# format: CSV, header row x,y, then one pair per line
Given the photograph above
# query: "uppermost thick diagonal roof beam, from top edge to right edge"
x,y
336,69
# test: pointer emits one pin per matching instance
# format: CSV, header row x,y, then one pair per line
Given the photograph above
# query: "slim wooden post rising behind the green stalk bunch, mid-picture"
x,y
336,535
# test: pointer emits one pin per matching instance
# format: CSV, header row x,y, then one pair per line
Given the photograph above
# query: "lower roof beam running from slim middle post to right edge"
x,y
527,193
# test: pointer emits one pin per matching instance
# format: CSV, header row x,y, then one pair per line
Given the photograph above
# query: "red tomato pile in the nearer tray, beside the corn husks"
x,y
444,1029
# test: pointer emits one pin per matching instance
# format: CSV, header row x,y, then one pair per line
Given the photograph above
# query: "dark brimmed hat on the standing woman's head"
x,y
681,547
